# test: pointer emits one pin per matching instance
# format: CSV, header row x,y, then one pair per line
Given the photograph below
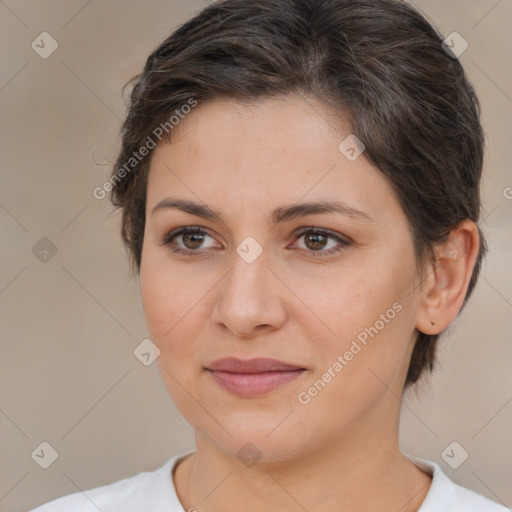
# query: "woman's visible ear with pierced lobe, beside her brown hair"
x,y
447,280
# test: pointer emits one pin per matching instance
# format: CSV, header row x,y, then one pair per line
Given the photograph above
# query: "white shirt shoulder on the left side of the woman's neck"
x,y
148,490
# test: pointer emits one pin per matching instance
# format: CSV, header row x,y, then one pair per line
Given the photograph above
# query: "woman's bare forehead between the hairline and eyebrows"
x,y
270,152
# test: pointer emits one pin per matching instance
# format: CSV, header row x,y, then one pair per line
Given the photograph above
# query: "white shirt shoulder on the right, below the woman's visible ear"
x,y
446,496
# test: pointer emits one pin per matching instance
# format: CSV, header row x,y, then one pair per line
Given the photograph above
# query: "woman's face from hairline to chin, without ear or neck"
x,y
331,293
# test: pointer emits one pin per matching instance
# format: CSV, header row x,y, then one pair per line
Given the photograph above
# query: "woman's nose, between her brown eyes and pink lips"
x,y
250,300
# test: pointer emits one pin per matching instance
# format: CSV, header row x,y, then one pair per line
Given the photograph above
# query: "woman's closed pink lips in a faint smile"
x,y
253,378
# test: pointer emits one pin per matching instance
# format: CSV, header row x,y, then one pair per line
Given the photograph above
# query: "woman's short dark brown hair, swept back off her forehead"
x,y
378,62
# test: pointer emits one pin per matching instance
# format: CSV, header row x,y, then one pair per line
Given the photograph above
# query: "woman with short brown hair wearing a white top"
x,y
299,182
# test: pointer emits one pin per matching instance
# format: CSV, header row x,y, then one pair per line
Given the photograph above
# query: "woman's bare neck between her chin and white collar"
x,y
347,474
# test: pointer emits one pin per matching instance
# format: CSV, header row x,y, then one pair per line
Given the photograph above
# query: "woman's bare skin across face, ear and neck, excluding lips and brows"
x,y
339,452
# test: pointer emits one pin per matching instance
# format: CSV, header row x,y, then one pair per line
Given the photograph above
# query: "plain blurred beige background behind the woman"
x,y
69,326
